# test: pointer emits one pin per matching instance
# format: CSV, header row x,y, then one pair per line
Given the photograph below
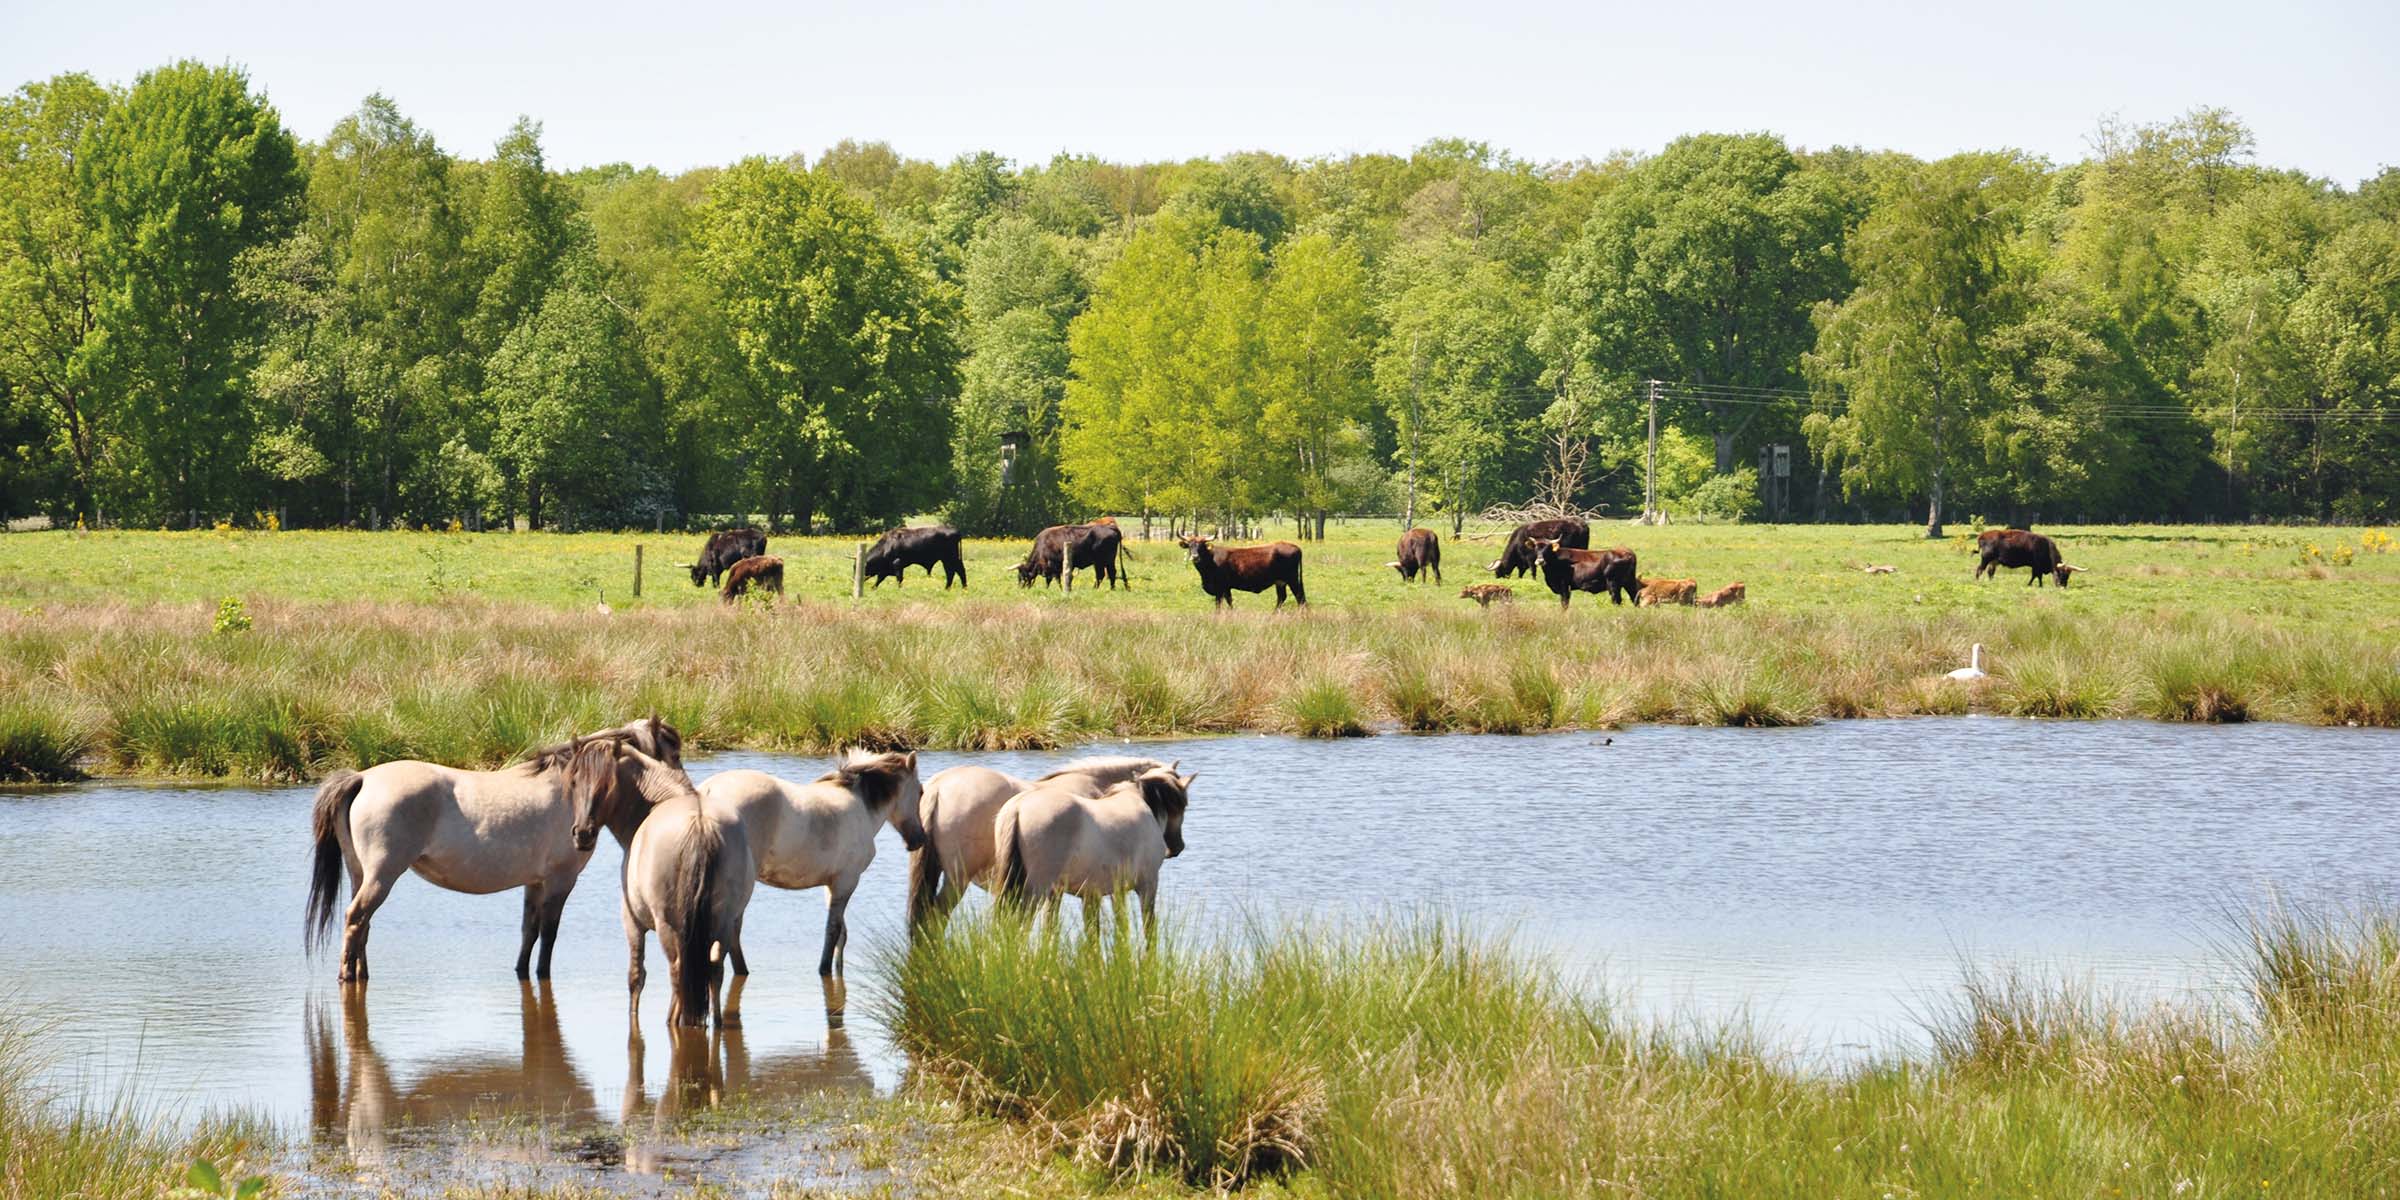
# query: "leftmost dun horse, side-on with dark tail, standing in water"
x,y
472,832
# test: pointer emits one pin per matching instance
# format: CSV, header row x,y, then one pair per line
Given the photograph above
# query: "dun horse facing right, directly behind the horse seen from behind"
x,y
824,834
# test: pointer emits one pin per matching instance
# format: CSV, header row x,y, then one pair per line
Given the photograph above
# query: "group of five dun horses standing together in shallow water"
x,y
697,851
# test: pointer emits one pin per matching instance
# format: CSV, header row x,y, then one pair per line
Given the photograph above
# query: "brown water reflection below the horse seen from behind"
x,y
704,1069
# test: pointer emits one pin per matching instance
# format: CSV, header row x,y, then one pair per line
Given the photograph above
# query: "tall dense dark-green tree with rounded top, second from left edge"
x,y
186,176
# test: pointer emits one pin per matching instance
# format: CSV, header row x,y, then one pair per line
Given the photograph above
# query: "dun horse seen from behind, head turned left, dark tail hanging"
x,y
688,875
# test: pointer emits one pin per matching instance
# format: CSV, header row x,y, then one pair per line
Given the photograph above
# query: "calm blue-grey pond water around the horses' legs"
x,y
1823,884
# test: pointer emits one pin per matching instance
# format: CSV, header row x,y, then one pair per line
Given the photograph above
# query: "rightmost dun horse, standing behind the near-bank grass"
x,y
1057,841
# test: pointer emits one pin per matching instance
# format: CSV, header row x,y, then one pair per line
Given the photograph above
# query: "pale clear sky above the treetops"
x,y
1554,80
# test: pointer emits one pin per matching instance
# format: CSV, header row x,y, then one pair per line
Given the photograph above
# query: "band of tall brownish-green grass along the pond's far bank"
x,y
318,688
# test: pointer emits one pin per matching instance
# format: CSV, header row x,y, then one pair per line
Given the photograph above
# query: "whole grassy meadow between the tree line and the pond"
x,y
280,656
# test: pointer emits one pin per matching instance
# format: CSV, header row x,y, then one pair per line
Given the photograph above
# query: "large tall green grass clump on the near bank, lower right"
x,y
1420,1062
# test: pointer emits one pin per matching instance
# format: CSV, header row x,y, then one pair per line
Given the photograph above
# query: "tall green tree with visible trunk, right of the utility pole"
x,y
1909,352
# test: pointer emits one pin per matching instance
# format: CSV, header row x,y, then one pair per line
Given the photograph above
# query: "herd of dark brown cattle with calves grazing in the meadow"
x,y
1559,551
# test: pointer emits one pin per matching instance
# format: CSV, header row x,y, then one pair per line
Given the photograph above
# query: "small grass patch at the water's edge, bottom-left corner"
x,y
54,1148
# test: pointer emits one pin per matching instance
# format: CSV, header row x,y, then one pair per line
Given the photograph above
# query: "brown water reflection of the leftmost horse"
x,y
368,1100
